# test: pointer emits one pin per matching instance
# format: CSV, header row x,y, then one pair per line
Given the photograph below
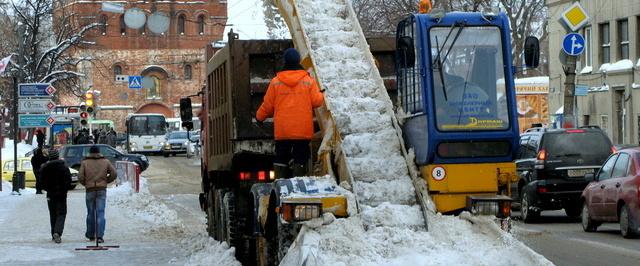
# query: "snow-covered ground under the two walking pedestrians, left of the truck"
x,y
154,229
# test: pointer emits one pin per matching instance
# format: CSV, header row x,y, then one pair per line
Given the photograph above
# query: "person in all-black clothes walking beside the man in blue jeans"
x,y
56,179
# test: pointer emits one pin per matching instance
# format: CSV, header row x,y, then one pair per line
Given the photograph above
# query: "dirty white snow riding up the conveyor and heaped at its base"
x,y
389,230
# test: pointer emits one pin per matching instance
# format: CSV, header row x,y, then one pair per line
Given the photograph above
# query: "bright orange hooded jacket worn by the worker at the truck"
x,y
290,100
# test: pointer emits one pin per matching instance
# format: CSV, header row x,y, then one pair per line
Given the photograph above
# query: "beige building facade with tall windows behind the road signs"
x,y
609,67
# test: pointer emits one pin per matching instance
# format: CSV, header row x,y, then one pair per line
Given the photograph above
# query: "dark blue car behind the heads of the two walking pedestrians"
x,y
73,155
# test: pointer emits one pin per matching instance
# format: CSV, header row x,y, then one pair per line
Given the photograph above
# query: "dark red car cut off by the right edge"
x,y
613,194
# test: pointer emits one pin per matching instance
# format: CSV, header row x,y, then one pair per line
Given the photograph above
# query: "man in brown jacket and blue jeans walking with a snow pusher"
x,y
96,172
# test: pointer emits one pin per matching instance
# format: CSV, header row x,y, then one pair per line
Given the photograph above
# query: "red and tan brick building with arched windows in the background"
x,y
174,60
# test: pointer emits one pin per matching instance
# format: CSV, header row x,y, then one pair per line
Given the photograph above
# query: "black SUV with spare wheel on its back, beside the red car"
x,y
551,164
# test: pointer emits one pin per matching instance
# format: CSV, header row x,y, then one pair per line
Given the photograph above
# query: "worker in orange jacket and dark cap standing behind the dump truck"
x,y
290,100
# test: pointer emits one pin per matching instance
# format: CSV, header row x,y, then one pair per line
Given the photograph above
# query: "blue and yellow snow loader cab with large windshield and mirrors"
x,y
461,124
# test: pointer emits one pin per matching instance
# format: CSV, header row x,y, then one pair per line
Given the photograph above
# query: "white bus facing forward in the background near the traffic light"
x,y
146,133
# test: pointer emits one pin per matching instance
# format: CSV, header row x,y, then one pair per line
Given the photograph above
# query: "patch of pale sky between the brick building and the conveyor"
x,y
247,19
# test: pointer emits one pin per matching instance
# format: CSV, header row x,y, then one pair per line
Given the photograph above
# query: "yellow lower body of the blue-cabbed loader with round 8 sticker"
x,y
450,184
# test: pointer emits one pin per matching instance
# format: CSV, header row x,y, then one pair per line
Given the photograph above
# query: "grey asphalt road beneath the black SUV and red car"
x,y
562,240
